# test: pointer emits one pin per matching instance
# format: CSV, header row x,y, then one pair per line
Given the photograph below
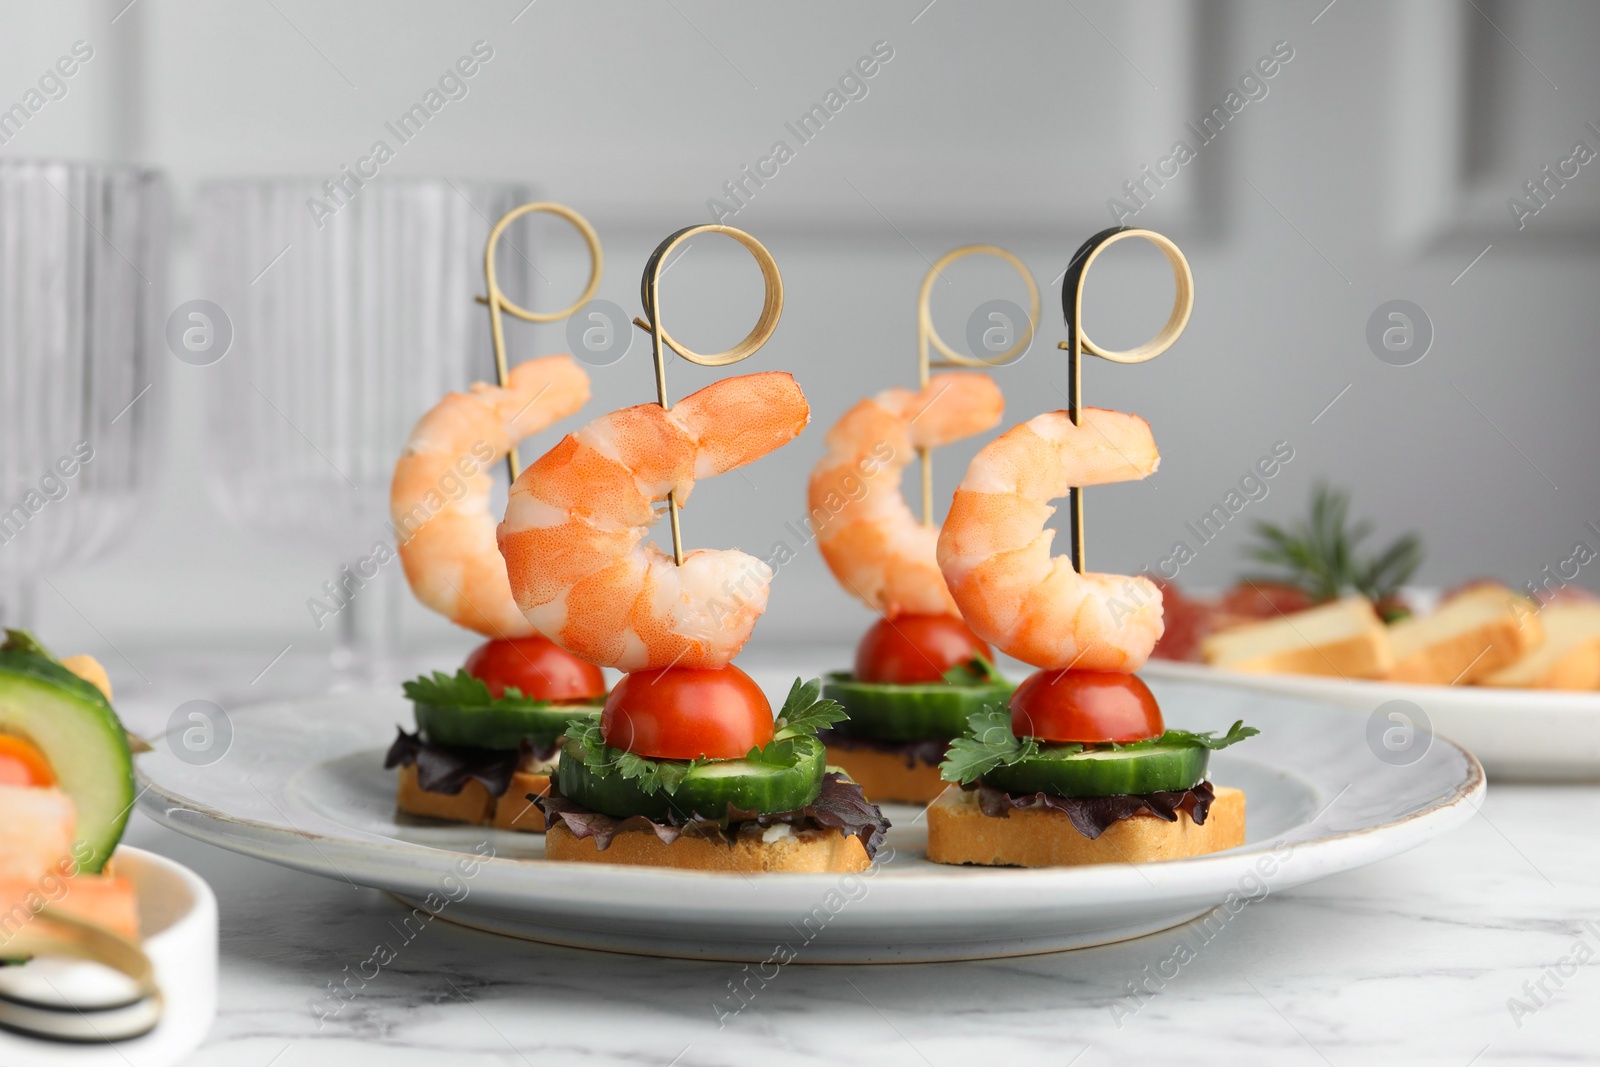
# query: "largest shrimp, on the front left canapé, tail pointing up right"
x,y
577,521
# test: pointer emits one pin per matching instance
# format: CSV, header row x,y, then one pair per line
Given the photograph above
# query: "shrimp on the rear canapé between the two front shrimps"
x,y
868,535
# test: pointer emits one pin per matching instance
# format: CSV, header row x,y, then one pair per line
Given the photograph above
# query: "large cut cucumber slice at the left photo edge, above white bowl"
x,y
73,725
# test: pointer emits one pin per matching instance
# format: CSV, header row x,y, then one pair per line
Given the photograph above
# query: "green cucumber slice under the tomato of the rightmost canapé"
x,y
1103,772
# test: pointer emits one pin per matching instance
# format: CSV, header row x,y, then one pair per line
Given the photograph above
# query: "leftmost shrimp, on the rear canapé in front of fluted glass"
x,y
439,500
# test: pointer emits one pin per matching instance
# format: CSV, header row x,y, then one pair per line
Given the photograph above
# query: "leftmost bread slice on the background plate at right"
x,y
1343,637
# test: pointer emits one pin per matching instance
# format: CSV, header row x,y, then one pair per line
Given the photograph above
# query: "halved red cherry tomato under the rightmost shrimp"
x,y
1087,706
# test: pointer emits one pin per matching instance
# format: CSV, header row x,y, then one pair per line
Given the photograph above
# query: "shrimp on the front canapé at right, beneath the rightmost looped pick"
x,y
994,548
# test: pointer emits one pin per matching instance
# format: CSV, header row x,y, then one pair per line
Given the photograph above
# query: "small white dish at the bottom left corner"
x,y
178,925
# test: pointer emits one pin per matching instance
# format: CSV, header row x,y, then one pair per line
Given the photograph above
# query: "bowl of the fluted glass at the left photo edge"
x,y
82,273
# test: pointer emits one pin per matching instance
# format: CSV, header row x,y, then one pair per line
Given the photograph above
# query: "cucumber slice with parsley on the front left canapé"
x,y
706,791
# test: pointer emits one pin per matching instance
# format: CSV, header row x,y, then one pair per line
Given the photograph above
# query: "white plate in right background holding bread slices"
x,y
1526,735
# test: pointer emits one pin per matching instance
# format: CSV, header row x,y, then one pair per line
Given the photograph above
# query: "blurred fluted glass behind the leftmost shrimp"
x,y
353,313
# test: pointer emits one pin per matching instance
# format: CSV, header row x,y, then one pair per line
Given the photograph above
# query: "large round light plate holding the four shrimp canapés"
x,y
303,786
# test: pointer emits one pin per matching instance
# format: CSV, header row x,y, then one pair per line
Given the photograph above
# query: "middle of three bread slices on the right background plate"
x,y
1470,637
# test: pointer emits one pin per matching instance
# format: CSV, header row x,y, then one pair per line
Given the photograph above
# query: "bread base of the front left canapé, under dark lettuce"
x,y
809,852
